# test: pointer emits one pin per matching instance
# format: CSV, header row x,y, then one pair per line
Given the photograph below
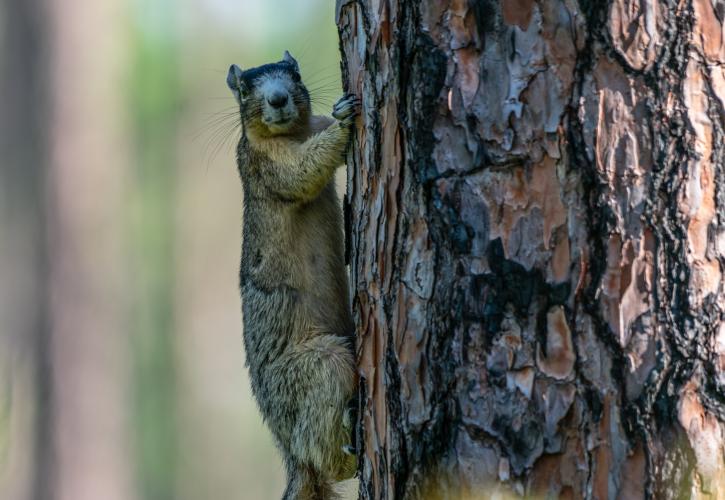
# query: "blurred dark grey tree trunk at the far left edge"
x,y
26,460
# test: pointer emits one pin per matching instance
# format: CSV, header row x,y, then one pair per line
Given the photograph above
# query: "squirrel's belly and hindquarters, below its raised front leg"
x,y
297,328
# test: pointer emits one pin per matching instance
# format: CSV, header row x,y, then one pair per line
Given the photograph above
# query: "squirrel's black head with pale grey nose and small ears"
x,y
272,98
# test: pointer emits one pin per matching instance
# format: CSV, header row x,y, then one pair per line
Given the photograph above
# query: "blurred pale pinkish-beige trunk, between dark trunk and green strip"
x,y
88,271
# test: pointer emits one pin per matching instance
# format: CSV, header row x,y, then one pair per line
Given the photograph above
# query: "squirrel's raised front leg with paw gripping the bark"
x,y
321,155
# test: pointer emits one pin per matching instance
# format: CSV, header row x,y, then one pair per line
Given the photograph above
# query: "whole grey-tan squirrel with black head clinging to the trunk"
x,y
298,329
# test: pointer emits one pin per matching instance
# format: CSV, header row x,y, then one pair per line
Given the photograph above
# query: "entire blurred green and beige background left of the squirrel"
x,y
121,363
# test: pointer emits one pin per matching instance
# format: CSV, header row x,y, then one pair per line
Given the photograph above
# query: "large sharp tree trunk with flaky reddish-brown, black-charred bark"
x,y
538,244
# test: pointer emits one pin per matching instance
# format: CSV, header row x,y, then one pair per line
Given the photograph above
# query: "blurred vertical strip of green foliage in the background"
x,y
154,101
